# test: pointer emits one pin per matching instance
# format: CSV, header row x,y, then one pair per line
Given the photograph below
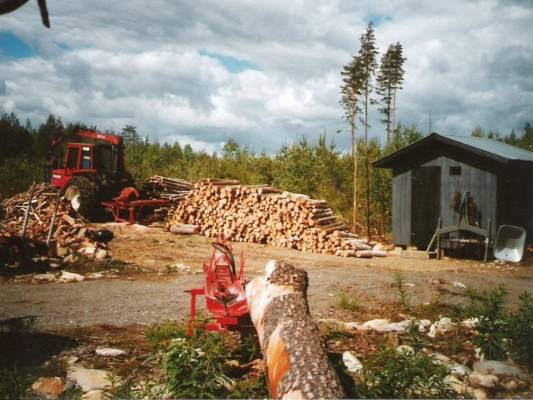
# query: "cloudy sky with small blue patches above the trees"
x,y
263,72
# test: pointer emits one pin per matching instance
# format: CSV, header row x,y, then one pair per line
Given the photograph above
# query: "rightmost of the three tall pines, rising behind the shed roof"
x,y
389,80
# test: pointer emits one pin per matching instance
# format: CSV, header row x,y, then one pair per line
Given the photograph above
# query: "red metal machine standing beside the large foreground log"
x,y
223,290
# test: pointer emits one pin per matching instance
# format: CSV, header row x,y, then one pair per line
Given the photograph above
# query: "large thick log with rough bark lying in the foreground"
x,y
296,360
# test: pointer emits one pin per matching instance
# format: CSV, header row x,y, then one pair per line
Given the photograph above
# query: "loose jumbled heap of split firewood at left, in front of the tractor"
x,y
69,234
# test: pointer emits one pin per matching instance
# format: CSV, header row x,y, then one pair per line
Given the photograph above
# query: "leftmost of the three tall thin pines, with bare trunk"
x,y
350,92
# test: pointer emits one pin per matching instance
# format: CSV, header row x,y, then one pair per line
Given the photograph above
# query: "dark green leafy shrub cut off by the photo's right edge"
x,y
521,331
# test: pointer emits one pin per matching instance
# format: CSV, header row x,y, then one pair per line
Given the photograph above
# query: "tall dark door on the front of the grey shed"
x,y
425,204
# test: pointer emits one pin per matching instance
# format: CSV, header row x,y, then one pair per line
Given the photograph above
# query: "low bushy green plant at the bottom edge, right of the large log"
x,y
390,374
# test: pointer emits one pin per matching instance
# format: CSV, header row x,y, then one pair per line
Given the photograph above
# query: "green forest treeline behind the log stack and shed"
x,y
318,169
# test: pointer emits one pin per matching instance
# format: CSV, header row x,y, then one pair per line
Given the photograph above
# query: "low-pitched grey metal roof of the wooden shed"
x,y
490,148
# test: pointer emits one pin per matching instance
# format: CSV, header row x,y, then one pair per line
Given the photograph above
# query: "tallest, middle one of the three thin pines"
x,y
367,54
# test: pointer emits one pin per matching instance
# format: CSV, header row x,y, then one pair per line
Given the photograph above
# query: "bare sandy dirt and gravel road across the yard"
x,y
159,294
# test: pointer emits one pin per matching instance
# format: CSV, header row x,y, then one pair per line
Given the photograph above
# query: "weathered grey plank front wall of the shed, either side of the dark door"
x,y
481,184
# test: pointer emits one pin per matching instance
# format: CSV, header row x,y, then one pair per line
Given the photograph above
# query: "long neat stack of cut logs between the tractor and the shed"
x,y
263,214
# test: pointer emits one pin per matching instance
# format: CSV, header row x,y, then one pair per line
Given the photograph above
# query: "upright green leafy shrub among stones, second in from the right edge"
x,y
493,328
